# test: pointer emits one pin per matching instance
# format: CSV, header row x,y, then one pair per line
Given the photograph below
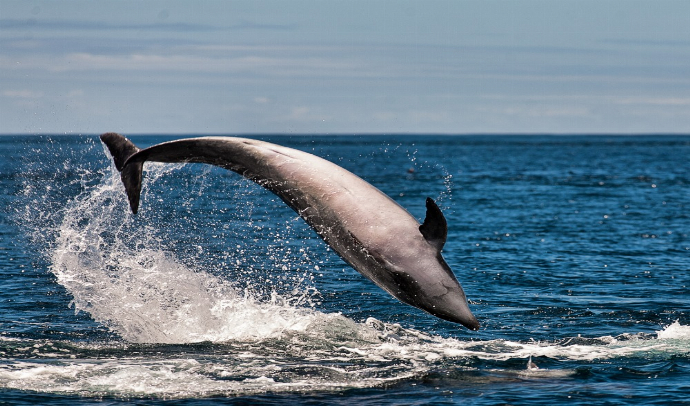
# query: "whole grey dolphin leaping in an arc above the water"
x,y
369,230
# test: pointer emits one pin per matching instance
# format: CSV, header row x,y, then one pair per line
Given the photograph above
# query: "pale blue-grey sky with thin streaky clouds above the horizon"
x,y
345,67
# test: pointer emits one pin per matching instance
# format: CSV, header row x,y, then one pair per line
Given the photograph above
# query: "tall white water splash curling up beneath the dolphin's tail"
x,y
119,270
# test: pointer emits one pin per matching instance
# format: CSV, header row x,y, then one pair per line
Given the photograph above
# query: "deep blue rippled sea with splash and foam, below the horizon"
x,y
573,251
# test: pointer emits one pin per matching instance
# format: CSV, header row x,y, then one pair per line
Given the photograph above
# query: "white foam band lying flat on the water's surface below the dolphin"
x,y
366,354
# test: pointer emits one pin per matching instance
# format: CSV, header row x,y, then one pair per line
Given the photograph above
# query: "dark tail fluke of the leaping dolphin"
x,y
130,172
